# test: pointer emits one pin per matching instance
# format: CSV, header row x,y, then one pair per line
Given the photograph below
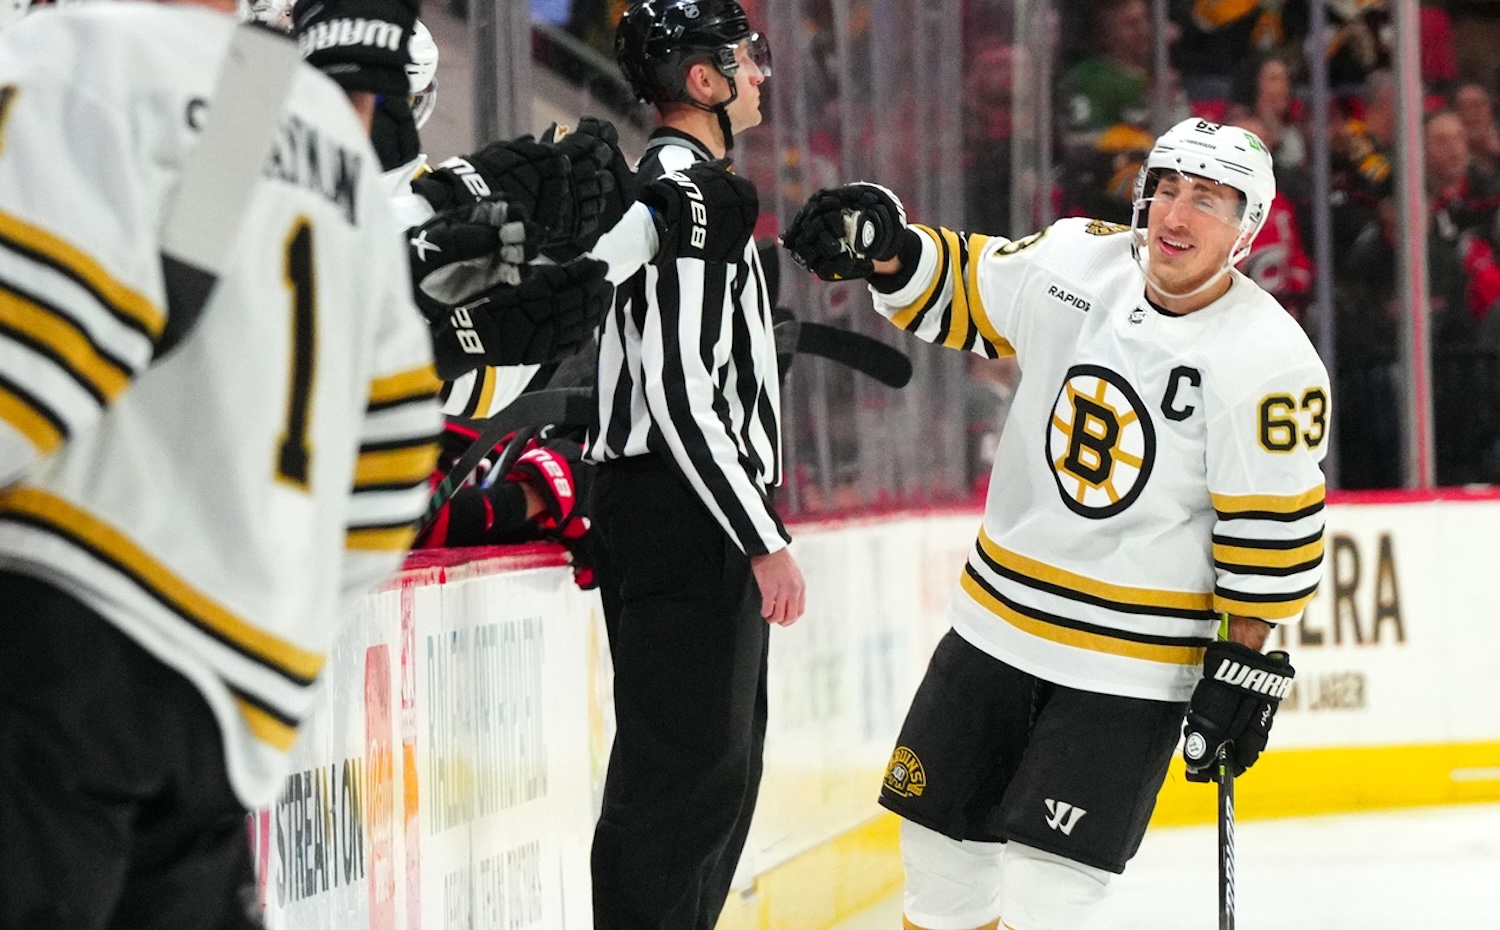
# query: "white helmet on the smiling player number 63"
x,y
1220,154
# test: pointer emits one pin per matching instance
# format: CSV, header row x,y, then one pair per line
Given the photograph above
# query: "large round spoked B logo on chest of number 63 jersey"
x,y
1100,443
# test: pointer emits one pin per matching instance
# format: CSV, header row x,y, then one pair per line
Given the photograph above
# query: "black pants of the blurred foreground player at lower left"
x,y
115,805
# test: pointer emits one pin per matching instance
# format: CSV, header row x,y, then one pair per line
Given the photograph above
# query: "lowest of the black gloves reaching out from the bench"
x,y
550,316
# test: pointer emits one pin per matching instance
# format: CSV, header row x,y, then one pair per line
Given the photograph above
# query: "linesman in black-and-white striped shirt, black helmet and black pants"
x,y
697,560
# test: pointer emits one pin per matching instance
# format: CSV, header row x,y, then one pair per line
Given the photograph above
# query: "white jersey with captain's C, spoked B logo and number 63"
x,y
1154,472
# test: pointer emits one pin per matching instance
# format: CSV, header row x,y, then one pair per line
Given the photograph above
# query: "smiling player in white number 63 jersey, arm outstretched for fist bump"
x,y
1159,472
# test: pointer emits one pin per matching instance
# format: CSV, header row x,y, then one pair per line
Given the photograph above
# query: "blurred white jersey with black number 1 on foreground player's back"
x,y
229,503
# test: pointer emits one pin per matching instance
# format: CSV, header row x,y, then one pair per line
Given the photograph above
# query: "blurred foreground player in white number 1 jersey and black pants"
x,y
188,509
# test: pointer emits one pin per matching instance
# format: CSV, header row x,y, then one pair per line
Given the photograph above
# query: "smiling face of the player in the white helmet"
x,y
1190,230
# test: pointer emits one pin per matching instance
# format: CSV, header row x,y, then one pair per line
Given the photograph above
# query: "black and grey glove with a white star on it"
x,y
467,250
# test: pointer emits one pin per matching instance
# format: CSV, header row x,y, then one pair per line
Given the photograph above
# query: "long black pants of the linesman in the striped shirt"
x,y
689,649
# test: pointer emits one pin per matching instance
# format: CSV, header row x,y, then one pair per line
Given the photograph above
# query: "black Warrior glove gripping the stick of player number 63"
x,y
1234,704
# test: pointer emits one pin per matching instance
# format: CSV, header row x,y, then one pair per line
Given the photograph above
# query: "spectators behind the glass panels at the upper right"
x,y
1246,64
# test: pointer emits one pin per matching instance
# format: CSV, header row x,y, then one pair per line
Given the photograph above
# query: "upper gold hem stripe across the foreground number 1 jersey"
x,y
55,515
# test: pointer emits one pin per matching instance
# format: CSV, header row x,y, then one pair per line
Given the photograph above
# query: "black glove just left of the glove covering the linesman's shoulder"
x,y
604,184
